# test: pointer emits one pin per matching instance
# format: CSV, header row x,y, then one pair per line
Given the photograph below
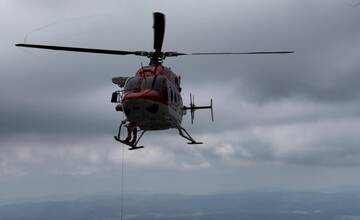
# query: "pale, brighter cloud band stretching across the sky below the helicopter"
x,y
324,143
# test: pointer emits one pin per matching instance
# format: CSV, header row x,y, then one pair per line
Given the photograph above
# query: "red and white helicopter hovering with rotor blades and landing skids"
x,y
151,100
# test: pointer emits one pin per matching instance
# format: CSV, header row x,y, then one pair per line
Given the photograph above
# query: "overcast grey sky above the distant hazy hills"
x,y
282,122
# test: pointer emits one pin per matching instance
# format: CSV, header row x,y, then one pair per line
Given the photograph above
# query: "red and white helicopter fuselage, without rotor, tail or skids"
x,y
152,98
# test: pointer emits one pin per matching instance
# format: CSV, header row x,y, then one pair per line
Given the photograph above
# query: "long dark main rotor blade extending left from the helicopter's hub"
x,y
78,49
